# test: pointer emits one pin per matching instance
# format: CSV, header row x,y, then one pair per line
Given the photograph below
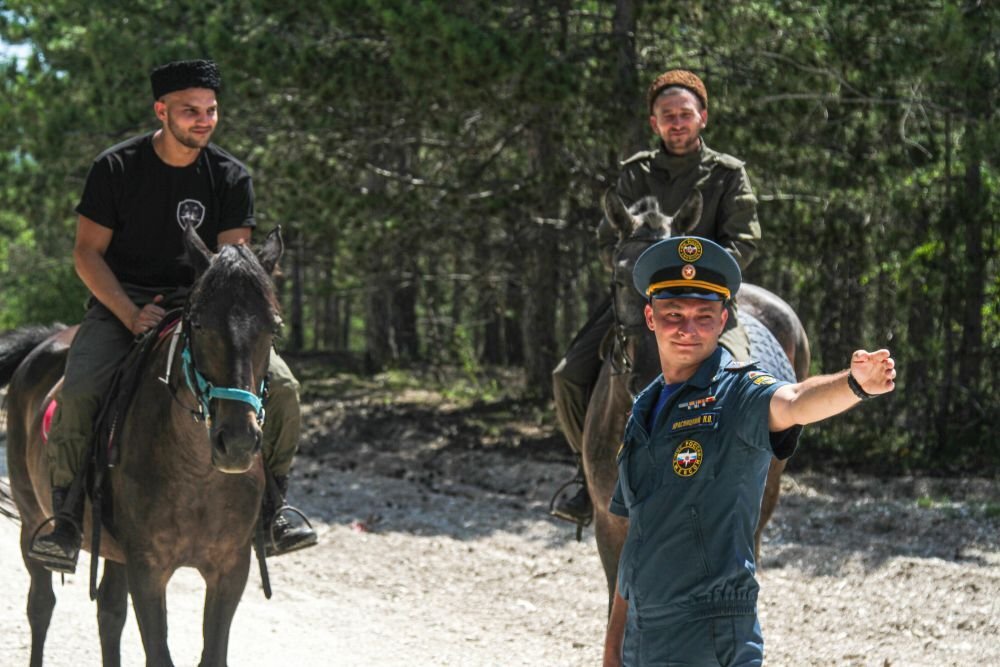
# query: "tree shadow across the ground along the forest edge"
x,y
490,461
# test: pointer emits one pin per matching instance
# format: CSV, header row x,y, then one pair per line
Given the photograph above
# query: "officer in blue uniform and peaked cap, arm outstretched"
x,y
693,463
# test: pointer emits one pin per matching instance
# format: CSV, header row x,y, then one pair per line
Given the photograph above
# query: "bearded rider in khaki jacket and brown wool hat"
x,y
680,164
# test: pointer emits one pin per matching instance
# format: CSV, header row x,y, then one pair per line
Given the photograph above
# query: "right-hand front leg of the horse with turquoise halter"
x,y
223,590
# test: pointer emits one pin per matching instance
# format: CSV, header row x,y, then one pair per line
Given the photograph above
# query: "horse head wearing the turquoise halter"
x,y
230,320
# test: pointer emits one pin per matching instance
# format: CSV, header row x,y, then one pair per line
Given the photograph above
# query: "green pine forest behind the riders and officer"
x,y
436,168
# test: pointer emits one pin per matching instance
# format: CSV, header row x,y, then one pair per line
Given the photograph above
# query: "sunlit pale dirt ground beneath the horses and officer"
x,y
436,550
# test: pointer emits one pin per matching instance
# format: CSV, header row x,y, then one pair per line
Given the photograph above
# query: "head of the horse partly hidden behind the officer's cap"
x,y
638,227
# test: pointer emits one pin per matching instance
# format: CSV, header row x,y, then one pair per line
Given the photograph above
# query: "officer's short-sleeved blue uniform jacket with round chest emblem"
x,y
692,490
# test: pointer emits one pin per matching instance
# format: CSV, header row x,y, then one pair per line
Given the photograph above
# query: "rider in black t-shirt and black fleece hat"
x,y
139,197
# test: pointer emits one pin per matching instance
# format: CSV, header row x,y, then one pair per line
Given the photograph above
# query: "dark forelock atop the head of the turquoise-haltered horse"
x,y
235,271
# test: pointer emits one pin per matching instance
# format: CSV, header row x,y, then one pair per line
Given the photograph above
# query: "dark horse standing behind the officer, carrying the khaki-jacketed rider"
x,y
633,363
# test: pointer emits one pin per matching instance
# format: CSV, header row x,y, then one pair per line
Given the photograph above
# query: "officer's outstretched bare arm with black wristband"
x,y
823,396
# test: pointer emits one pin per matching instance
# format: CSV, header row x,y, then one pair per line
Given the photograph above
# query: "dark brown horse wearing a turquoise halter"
x,y
186,493
